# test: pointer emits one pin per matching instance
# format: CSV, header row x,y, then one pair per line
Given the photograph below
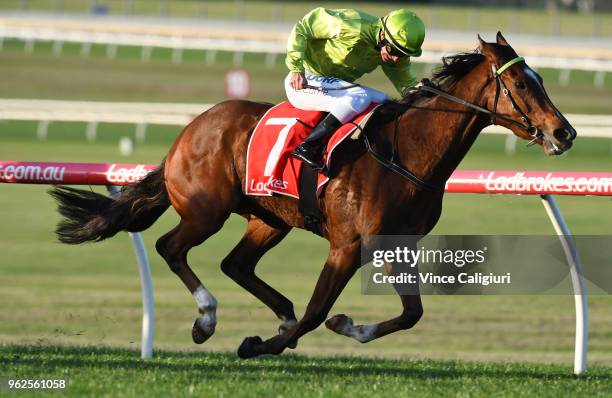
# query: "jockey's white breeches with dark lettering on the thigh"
x,y
342,99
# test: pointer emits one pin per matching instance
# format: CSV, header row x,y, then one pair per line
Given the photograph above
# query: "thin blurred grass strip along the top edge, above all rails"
x,y
534,21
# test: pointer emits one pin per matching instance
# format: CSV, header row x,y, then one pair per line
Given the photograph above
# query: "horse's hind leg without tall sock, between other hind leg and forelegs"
x,y
241,262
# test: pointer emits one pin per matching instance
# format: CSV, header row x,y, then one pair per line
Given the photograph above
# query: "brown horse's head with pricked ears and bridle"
x,y
520,96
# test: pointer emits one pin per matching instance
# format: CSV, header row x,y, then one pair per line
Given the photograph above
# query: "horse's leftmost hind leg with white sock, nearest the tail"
x,y
173,247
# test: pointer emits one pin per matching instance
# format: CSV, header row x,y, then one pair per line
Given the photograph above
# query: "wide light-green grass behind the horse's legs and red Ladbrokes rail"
x,y
89,295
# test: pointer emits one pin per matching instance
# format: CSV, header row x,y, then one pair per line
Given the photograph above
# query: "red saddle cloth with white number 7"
x,y
270,167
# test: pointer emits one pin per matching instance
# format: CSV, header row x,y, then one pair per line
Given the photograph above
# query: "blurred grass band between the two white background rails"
x,y
44,76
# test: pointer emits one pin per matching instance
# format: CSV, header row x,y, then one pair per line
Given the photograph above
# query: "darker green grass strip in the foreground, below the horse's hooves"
x,y
104,372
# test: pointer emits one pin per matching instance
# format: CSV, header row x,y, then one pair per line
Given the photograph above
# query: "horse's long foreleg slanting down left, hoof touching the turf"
x,y
338,270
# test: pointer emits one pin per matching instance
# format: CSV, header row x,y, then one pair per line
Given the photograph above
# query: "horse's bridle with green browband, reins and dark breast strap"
x,y
500,87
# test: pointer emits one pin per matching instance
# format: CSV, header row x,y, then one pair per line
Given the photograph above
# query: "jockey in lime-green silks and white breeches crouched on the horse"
x,y
329,49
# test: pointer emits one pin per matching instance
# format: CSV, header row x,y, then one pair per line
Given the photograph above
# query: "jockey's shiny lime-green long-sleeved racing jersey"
x,y
342,44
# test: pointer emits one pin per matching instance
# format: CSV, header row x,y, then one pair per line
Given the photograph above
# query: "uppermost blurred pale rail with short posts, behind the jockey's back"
x,y
190,37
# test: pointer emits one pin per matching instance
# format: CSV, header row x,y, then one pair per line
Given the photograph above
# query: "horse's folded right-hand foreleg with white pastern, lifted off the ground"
x,y
412,312
